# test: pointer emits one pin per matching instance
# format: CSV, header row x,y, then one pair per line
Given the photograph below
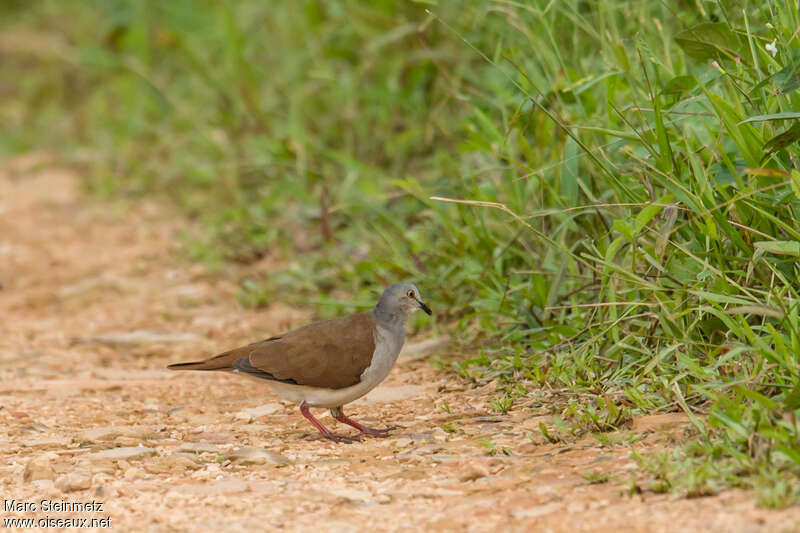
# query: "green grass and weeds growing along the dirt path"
x,y
625,177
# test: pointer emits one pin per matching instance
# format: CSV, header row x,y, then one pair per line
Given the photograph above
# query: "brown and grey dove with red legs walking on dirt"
x,y
328,363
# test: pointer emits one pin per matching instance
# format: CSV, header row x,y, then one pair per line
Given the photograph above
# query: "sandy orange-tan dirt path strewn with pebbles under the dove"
x,y
95,302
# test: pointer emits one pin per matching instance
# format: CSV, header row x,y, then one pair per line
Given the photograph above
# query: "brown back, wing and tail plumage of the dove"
x,y
331,354
